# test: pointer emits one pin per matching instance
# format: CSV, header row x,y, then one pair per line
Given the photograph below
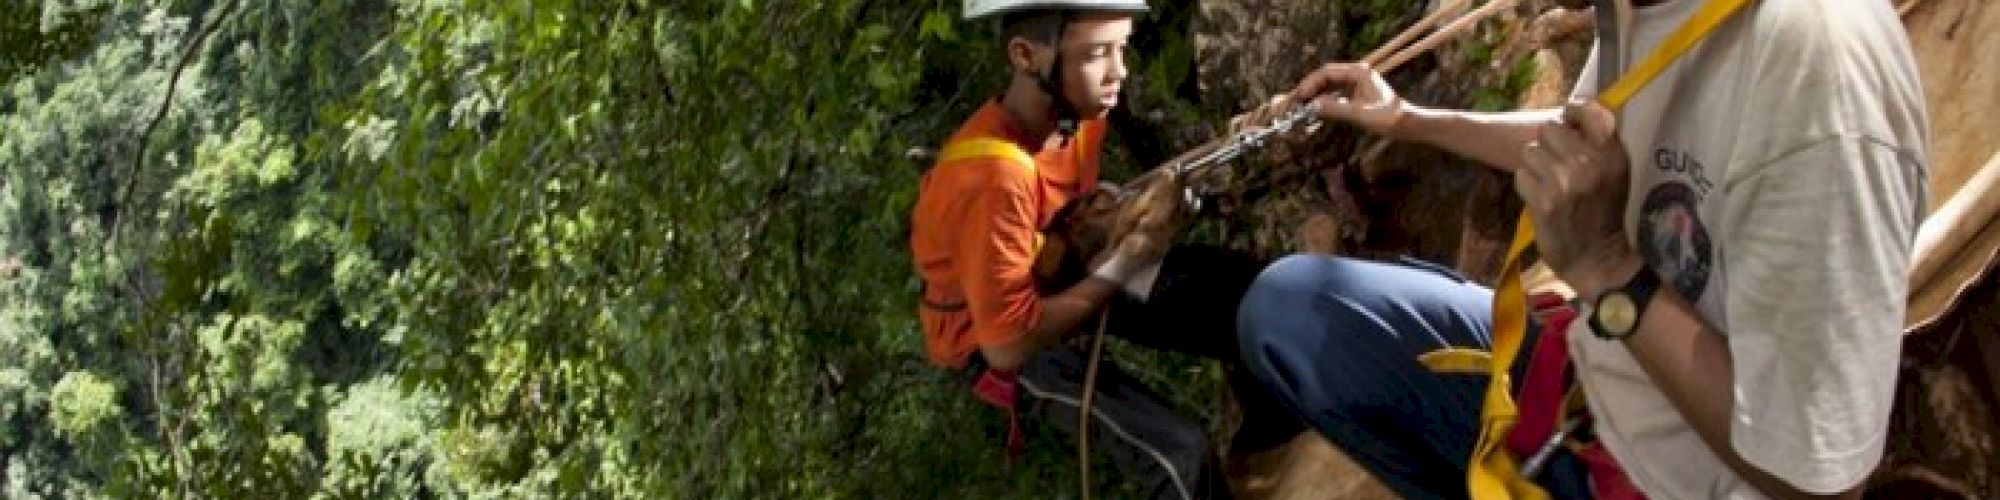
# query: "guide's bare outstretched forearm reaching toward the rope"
x,y
1493,139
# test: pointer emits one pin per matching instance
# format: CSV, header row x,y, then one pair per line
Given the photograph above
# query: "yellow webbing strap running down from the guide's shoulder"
x,y
1495,473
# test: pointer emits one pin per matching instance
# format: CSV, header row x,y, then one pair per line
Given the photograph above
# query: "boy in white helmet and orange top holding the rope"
x,y
977,231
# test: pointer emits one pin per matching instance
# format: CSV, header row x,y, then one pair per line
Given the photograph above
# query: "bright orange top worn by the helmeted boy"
x,y
979,225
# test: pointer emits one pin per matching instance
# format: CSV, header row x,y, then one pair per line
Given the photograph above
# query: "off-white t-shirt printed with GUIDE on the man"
x,y
1777,183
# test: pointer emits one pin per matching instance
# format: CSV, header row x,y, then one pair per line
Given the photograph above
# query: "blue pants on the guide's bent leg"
x,y
1337,343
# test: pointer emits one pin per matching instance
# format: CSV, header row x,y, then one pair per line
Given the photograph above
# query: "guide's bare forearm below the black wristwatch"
x,y
1689,363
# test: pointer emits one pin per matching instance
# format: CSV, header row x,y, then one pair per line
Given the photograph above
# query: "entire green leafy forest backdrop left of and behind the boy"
x,y
491,249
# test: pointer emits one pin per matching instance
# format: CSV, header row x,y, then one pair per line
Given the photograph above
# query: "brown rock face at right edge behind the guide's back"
x,y
1951,381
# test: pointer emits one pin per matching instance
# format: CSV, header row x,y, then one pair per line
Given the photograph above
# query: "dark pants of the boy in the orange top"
x,y
1193,311
